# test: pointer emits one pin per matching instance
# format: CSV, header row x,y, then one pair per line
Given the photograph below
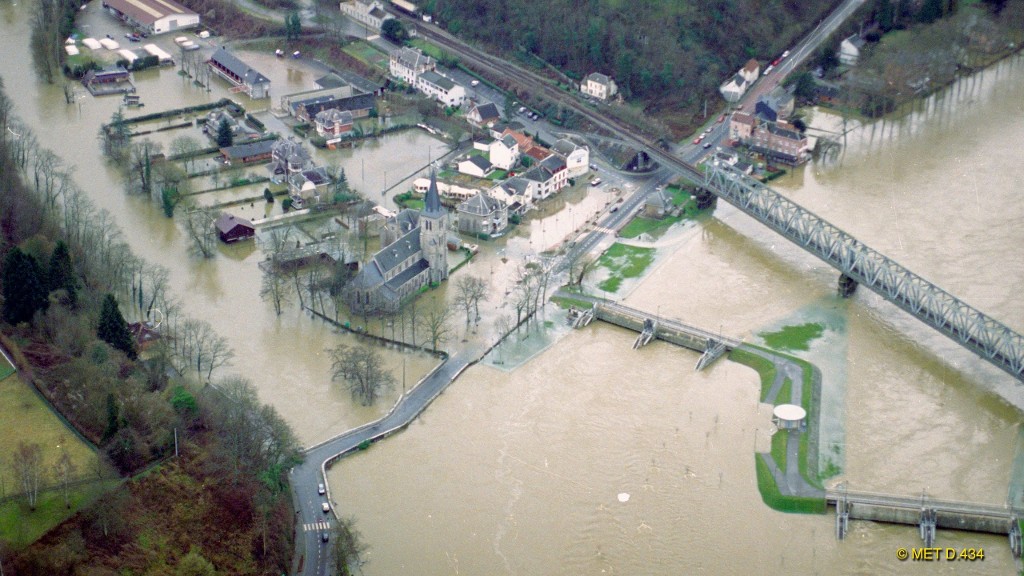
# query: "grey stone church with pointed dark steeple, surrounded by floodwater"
x,y
414,256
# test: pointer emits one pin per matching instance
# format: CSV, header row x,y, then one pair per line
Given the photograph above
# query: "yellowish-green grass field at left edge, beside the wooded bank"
x,y
28,419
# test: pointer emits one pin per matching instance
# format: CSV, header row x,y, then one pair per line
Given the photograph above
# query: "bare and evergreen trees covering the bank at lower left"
x,y
72,311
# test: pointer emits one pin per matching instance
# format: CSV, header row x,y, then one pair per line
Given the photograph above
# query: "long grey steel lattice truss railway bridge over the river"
x,y
968,326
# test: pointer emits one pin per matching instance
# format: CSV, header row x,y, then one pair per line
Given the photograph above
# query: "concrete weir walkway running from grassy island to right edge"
x,y
927,514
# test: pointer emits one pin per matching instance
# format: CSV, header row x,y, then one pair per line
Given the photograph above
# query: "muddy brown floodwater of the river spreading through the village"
x,y
521,472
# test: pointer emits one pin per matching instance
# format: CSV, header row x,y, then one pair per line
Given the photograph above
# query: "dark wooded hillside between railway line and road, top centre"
x,y
662,52
